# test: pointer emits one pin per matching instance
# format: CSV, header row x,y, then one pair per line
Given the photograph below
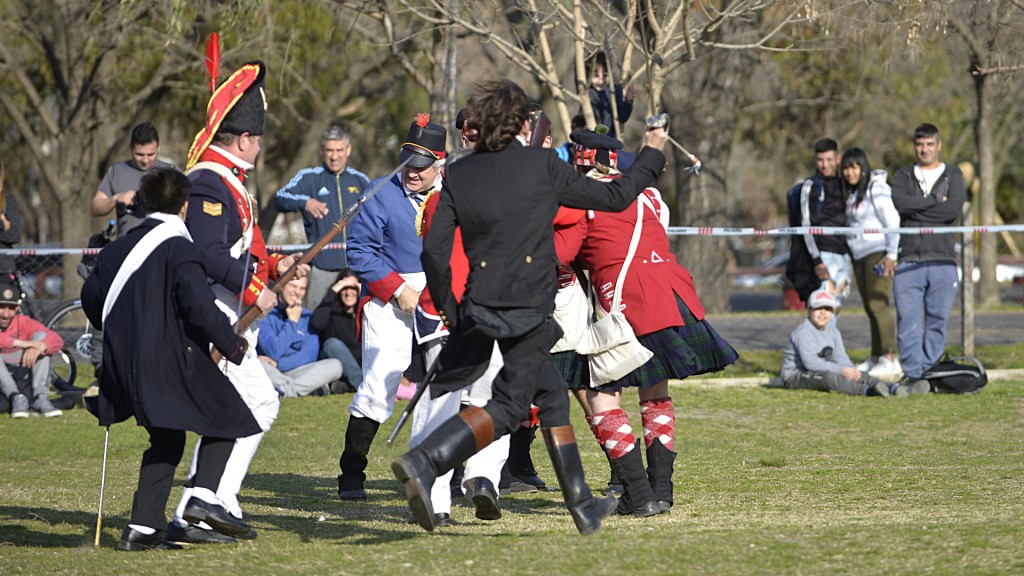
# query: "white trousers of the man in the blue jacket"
x,y
388,352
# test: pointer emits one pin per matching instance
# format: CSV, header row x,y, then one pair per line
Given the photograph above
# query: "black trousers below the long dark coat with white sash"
x,y
157,473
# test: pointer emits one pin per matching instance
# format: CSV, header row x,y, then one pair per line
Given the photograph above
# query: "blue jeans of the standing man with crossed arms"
x,y
925,294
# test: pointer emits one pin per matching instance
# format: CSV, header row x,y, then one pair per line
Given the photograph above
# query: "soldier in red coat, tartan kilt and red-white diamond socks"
x,y
660,302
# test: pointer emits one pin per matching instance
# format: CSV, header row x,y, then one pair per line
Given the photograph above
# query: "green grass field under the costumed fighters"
x,y
767,482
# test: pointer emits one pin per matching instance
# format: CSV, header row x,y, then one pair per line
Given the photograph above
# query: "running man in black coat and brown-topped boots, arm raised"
x,y
504,197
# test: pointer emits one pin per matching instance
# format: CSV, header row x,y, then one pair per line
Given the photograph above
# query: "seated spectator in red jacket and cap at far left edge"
x,y
27,347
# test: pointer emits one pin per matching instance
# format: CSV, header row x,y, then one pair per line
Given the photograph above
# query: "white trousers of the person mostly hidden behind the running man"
x,y
430,415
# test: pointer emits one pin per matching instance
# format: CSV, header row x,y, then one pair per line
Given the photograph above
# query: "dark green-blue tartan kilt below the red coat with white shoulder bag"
x,y
684,351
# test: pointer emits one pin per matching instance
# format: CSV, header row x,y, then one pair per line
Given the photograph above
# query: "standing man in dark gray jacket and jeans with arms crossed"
x,y
928,194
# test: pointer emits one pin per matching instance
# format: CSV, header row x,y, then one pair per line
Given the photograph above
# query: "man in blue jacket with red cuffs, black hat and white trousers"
x,y
385,253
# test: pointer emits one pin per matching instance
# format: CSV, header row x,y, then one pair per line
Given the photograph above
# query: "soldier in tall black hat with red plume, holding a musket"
x,y
222,220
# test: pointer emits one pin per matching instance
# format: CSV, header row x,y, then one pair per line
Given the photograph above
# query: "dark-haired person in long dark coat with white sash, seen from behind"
x,y
150,296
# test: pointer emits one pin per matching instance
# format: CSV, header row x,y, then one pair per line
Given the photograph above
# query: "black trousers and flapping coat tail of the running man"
x,y
529,377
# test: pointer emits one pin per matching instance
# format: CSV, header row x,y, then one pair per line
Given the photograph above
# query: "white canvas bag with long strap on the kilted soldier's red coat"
x,y
612,347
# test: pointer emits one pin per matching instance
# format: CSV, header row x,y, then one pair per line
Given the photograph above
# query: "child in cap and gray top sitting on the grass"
x,y
817,359
